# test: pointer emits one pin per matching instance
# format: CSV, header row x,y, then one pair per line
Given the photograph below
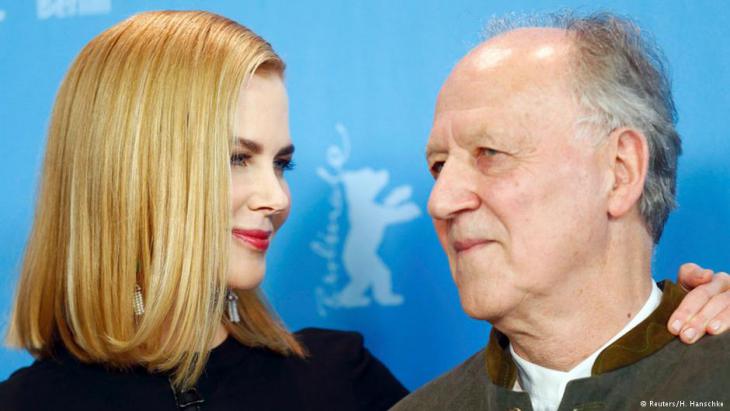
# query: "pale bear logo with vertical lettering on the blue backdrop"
x,y
368,219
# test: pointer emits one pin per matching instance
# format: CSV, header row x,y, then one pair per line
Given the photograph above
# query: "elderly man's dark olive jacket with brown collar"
x,y
646,369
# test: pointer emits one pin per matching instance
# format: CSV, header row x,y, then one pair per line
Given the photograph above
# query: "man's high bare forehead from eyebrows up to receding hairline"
x,y
501,77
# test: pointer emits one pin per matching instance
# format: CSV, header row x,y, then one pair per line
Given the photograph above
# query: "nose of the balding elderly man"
x,y
454,191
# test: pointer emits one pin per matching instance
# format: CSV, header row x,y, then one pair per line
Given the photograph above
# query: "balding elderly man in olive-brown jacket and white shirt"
x,y
554,152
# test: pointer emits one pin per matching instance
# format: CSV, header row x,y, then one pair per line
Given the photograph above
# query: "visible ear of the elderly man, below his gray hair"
x,y
630,165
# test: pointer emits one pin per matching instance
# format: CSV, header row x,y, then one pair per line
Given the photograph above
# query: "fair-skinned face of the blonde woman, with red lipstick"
x,y
260,197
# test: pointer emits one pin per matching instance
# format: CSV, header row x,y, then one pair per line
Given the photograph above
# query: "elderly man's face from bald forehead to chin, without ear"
x,y
519,201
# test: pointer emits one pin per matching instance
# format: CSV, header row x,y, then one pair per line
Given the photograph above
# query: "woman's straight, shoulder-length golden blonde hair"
x,y
135,191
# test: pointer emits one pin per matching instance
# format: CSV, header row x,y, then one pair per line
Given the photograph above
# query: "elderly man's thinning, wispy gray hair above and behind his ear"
x,y
621,81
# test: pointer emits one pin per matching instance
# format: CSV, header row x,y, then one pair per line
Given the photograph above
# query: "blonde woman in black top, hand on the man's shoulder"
x,y
162,187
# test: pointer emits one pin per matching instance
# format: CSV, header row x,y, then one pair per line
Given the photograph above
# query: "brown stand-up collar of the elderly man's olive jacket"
x,y
641,341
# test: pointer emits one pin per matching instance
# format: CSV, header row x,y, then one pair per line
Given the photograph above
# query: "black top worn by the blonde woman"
x,y
338,374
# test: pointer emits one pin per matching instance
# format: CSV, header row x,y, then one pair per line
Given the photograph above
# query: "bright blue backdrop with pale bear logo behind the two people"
x,y
363,77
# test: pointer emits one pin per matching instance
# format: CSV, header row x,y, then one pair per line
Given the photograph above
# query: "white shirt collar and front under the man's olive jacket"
x,y
546,386
